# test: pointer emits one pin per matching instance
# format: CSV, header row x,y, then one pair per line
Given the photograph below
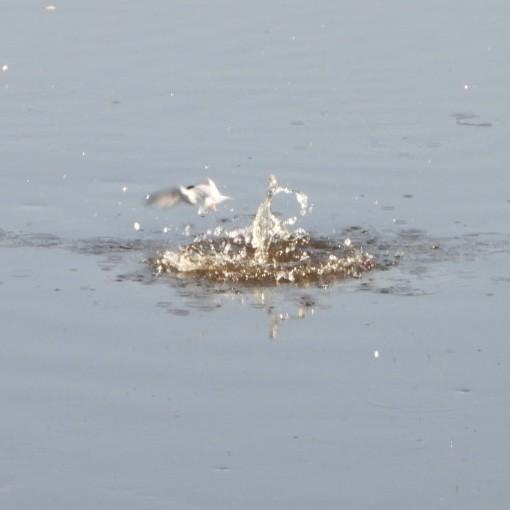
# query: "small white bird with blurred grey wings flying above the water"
x,y
206,196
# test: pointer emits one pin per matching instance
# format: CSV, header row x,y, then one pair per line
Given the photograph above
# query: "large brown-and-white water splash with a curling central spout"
x,y
266,252
